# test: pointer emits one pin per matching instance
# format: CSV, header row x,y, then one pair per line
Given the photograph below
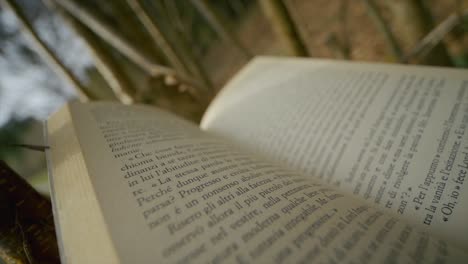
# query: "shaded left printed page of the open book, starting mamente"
x,y
170,193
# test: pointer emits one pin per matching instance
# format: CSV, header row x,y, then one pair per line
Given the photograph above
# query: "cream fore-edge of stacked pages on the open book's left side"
x,y
81,232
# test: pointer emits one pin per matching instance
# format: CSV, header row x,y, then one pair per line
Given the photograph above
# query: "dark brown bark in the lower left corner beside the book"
x,y
27,233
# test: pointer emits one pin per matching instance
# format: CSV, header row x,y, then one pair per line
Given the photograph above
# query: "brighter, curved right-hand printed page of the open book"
x,y
395,136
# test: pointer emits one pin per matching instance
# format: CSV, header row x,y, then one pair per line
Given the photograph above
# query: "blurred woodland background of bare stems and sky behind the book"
x,y
177,54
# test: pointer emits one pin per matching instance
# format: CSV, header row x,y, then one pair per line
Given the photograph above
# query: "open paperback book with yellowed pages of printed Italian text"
x,y
295,161
